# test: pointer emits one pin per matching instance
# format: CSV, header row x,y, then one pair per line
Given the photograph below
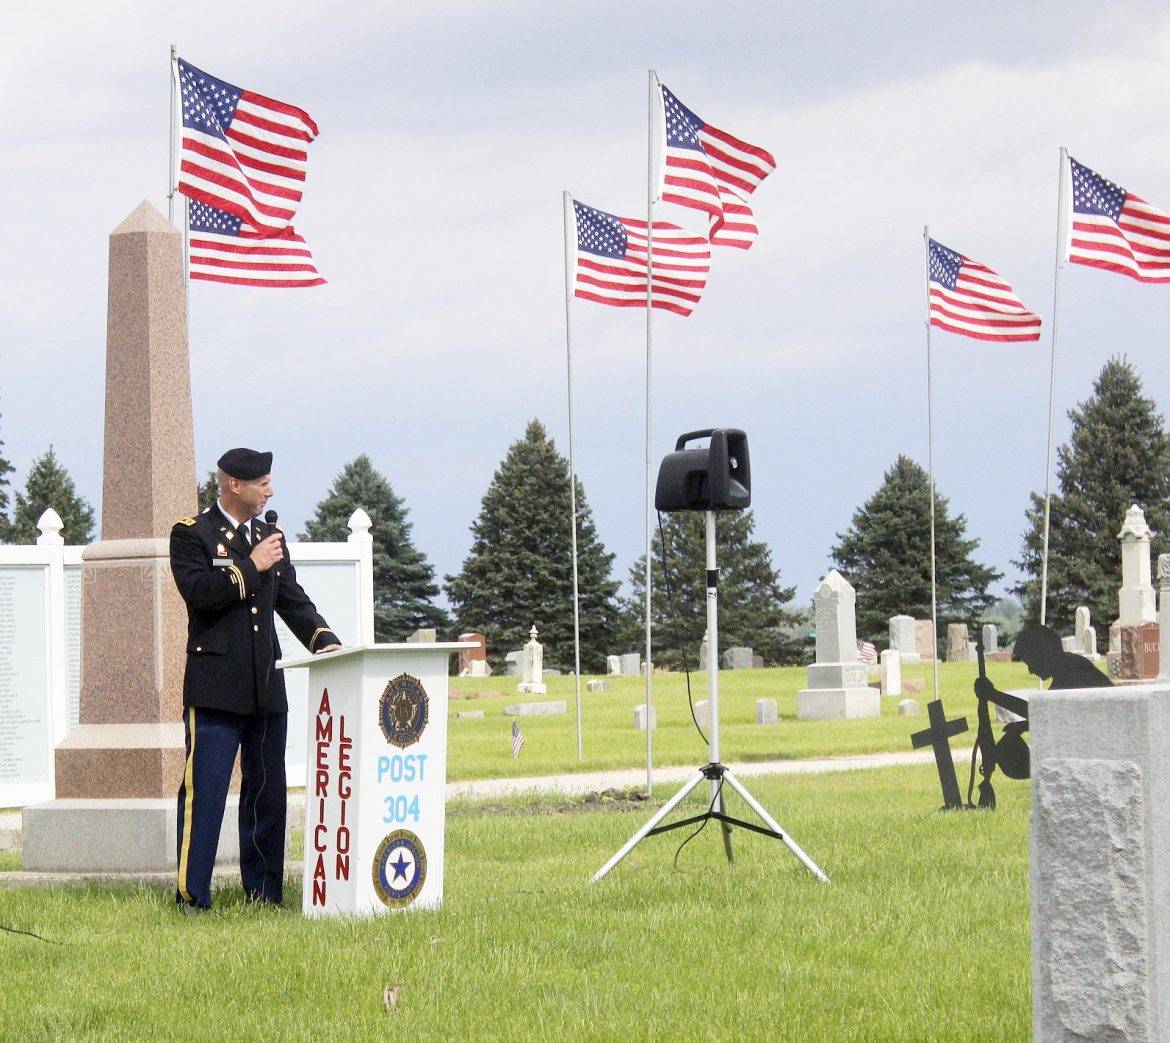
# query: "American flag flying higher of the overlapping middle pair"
x,y
707,169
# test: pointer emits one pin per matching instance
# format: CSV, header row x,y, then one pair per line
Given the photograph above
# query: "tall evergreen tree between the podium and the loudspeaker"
x,y
519,573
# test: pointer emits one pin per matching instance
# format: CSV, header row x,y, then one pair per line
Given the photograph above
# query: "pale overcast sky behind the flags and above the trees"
x,y
433,207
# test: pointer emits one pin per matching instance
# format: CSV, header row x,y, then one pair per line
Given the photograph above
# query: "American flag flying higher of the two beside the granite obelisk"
x,y
243,153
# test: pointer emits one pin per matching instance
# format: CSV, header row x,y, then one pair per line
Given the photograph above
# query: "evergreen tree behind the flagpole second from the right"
x,y
886,557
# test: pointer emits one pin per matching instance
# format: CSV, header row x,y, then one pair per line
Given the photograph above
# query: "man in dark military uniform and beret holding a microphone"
x,y
235,573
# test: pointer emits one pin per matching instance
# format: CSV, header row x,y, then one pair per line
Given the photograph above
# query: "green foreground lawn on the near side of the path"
x,y
921,936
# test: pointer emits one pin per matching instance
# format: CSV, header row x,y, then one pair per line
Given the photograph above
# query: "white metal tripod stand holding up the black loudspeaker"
x,y
715,772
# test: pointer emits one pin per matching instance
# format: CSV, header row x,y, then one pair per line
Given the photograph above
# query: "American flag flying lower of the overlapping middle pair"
x,y
611,262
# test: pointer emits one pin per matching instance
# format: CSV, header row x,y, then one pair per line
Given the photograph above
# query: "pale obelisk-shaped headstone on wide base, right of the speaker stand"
x,y
837,683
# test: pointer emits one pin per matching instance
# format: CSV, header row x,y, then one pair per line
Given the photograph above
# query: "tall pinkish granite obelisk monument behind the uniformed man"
x,y
118,773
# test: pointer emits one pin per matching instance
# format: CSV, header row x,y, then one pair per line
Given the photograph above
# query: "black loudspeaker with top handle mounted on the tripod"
x,y
713,478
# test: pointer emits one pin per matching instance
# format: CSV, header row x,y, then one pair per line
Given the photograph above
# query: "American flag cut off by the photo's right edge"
x,y
1114,230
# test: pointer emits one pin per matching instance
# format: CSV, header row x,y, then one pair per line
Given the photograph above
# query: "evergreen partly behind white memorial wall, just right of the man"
x,y
404,584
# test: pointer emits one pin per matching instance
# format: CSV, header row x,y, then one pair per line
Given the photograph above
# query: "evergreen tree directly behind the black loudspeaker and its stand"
x,y
753,610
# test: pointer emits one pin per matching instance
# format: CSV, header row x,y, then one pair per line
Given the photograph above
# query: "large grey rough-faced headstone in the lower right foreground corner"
x,y
1099,864
